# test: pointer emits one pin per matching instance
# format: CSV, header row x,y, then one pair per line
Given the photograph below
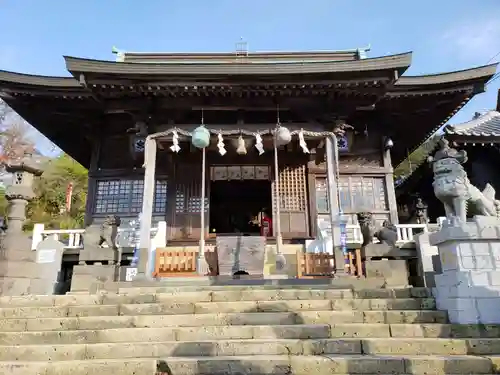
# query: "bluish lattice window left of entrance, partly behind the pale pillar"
x,y
125,197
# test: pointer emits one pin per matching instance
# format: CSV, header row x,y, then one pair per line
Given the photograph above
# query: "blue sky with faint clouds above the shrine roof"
x,y
443,34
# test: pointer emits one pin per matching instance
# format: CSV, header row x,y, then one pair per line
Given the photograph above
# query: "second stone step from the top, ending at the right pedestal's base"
x,y
174,305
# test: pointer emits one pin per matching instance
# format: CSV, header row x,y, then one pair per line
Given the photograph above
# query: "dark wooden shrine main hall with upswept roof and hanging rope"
x,y
105,113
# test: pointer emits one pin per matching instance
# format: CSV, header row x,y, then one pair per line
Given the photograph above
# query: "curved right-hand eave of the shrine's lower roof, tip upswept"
x,y
482,72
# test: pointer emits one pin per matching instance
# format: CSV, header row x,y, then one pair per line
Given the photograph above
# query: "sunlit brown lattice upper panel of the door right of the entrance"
x,y
292,186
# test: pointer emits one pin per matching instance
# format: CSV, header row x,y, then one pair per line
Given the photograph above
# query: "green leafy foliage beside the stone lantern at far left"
x,y
50,205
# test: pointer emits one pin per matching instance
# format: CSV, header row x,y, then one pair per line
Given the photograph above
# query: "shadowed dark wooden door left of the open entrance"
x,y
186,203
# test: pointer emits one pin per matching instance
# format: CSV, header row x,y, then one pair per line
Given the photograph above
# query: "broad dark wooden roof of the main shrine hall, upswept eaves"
x,y
410,107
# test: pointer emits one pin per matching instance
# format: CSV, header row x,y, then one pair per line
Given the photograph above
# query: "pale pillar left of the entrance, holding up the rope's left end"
x,y
147,207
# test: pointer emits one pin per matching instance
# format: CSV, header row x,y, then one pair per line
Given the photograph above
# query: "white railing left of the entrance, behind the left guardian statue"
x,y
73,238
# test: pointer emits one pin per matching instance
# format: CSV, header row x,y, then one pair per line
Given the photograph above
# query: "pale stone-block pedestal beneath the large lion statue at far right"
x,y
469,285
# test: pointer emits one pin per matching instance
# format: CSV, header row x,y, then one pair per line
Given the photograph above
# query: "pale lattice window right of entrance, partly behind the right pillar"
x,y
355,193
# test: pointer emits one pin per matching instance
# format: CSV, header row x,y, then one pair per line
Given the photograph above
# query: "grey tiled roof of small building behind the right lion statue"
x,y
487,125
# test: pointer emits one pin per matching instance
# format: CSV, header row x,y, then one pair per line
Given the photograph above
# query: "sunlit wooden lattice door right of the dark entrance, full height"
x,y
294,216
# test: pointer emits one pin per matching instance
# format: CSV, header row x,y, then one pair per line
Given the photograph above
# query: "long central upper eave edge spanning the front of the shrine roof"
x,y
79,65
